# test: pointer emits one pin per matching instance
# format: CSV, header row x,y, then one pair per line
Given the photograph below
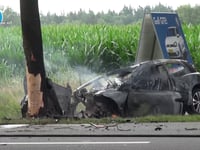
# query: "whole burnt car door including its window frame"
x,y
152,93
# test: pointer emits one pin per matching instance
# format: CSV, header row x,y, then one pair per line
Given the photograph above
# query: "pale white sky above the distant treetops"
x,y
65,6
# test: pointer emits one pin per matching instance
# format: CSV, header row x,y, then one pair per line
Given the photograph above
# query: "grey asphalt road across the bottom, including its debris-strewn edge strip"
x,y
130,136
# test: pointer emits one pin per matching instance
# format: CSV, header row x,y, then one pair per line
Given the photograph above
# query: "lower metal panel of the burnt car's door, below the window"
x,y
143,102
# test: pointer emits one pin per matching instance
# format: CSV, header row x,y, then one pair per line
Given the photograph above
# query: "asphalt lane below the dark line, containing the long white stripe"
x,y
99,143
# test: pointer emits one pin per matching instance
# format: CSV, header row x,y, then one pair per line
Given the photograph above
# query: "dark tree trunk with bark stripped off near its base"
x,y
32,44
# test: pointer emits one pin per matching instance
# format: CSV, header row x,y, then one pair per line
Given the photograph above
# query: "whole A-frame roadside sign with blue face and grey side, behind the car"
x,y
162,37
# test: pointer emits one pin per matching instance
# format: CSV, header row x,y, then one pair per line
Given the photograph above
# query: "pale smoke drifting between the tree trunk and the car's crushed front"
x,y
60,71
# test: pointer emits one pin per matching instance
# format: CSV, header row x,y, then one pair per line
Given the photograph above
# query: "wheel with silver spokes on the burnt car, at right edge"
x,y
196,101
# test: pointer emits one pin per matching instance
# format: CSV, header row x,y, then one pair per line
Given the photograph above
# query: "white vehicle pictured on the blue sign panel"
x,y
174,43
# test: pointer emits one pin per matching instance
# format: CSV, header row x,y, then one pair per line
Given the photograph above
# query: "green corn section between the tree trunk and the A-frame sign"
x,y
99,47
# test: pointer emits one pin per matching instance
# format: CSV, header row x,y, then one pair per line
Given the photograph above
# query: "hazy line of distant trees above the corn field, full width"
x,y
127,15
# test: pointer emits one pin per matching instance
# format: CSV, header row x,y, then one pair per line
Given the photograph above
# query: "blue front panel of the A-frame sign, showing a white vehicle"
x,y
170,35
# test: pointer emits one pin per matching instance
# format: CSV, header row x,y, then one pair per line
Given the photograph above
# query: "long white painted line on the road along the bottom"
x,y
72,143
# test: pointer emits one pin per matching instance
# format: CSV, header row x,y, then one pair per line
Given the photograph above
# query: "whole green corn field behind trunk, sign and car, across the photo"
x,y
96,47
